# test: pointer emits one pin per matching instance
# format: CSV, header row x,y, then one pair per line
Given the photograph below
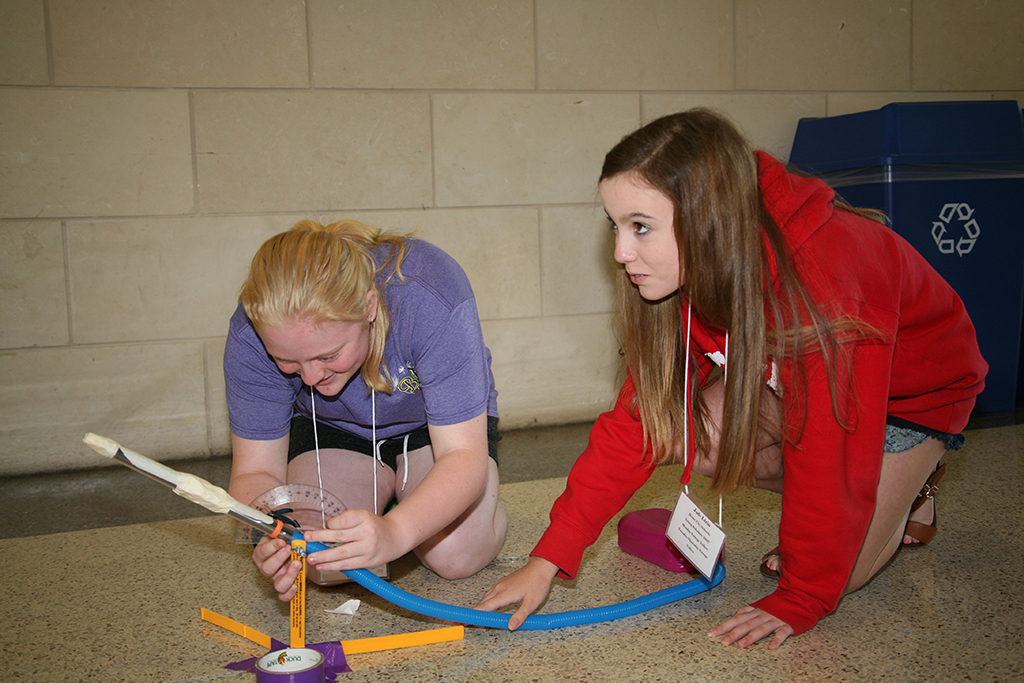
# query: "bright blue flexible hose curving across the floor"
x,y
396,595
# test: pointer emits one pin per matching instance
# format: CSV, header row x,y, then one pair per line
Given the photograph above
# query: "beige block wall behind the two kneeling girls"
x,y
149,147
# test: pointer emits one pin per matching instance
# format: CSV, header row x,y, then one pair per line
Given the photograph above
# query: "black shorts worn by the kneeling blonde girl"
x,y
302,441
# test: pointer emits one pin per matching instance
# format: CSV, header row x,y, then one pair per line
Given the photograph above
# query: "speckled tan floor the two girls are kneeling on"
x,y
123,604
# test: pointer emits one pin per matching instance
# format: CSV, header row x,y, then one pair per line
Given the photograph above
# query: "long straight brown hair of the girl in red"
x,y
727,240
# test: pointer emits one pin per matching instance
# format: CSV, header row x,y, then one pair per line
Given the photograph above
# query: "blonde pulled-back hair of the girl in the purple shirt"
x,y
320,274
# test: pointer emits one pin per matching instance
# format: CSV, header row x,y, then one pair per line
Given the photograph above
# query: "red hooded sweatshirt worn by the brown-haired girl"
x,y
925,368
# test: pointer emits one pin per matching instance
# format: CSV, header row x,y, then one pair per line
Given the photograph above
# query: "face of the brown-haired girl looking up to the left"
x,y
646,239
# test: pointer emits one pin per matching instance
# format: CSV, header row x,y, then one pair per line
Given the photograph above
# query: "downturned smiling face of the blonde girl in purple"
x,y
326,356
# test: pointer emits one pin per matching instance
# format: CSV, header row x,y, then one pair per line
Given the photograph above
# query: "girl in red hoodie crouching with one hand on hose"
x,y
788,333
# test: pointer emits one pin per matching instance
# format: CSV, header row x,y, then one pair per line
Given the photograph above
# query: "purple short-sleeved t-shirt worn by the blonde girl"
x,y
435,352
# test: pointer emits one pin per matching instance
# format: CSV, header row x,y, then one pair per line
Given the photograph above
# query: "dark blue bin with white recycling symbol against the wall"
x,y
951,178
